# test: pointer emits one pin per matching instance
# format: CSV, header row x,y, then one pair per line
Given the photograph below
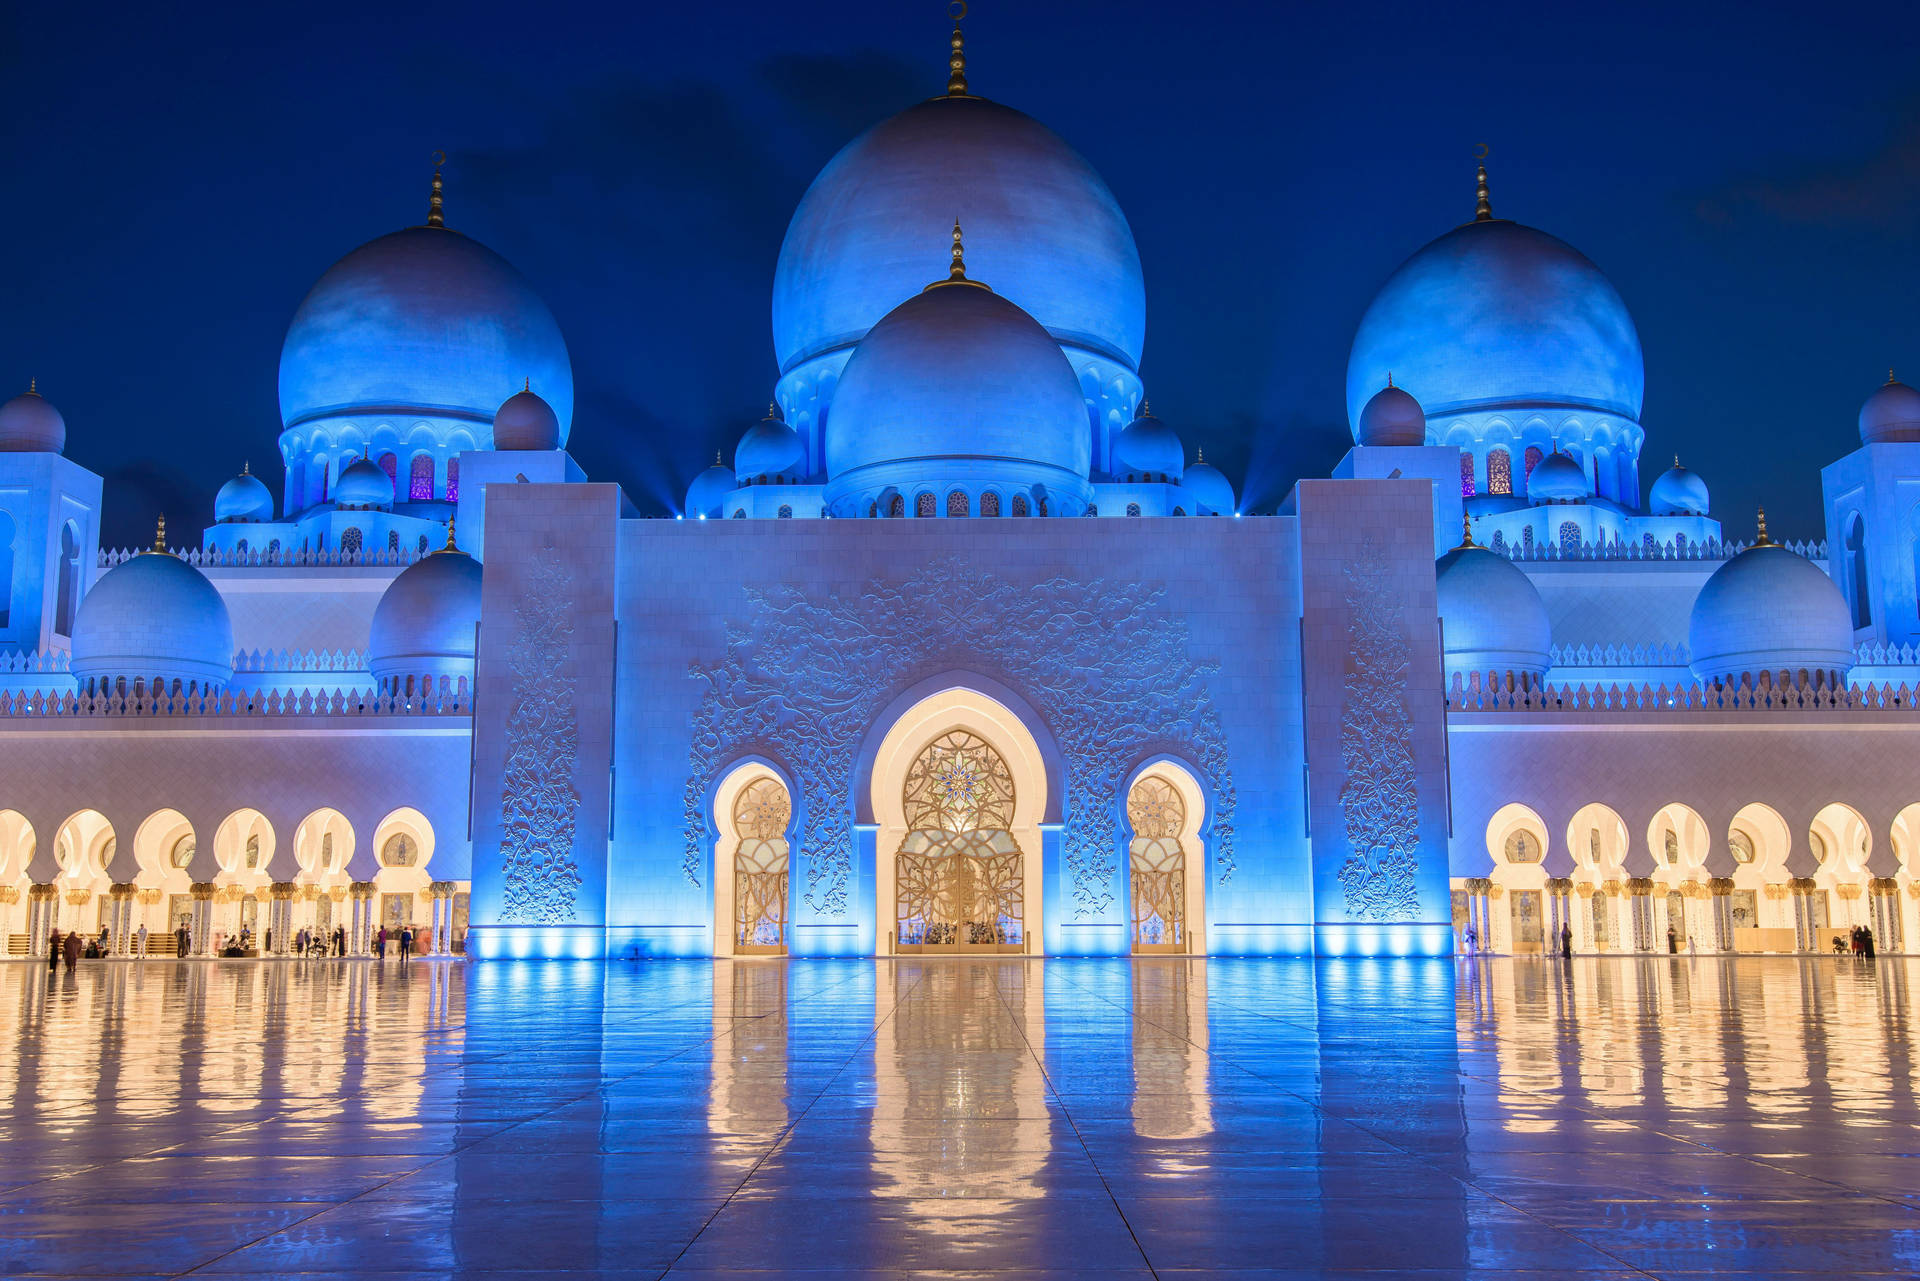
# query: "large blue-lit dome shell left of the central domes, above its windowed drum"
x,y
421,322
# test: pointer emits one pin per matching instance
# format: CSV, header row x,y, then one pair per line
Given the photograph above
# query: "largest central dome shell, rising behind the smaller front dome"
x,y
1045,230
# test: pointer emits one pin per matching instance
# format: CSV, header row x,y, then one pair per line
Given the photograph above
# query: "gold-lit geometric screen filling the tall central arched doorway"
x,y
959,875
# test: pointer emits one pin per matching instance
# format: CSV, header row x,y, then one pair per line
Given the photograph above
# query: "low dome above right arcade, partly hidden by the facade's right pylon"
x,y
1491,614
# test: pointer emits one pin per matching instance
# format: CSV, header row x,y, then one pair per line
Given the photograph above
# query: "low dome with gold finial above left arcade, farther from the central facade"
x,y
155,617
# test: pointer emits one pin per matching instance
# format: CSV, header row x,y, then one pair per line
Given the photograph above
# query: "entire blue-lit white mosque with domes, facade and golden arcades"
x,y
965,650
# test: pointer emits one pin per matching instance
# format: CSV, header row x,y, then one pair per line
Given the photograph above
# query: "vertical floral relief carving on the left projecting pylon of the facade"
x,y
539,802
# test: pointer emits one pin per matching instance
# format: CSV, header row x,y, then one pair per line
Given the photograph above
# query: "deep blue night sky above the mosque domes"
x,y
180,176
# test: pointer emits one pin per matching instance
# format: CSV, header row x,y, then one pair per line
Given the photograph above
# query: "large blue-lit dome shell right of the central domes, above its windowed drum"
x,y
1499,316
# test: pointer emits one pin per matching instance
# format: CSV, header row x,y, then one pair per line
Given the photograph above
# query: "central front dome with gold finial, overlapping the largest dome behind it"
x,y
959,385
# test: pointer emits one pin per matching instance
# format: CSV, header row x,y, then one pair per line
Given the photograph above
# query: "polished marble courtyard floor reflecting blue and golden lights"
x,y
853,1119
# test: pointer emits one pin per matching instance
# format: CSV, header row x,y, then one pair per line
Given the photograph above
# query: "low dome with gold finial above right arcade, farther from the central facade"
x,y
1769,610
